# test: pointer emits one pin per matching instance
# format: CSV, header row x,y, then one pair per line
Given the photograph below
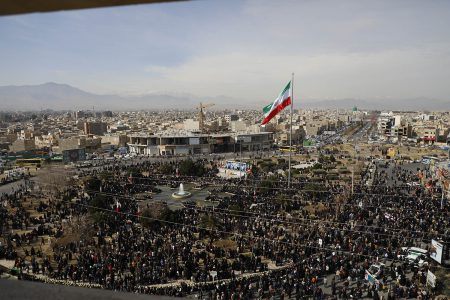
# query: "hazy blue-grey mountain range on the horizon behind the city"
x,y
65,97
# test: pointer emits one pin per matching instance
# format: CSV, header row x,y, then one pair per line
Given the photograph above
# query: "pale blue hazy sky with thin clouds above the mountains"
x,y
242,49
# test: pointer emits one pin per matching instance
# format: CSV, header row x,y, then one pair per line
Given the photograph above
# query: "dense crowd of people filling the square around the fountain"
x,y
258,242
